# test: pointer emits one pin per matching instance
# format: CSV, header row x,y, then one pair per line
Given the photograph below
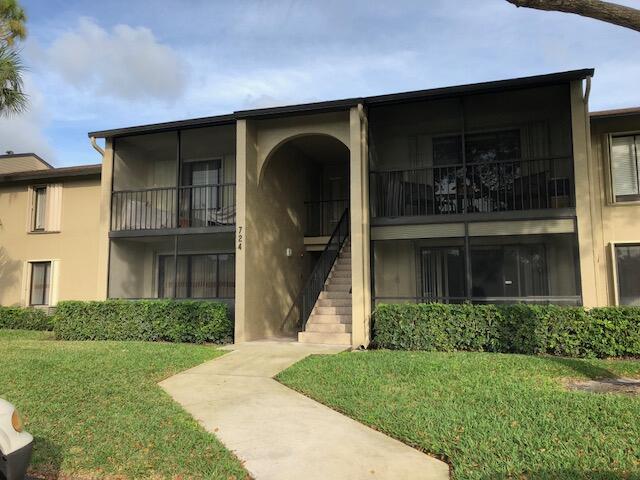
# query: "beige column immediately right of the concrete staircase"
x,y
360,231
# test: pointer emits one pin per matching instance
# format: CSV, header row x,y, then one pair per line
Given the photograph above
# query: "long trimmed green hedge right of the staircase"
x,y
528,329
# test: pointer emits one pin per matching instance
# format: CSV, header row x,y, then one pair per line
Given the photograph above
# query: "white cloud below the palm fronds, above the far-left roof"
x,y
24,133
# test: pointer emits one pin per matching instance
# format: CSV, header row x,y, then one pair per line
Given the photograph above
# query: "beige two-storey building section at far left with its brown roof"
x,y
49,220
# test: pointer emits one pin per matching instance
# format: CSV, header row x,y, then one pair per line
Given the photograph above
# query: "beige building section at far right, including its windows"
x,y
614,168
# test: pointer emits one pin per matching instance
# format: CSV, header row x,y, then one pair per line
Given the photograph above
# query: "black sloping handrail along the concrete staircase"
x,y
315,284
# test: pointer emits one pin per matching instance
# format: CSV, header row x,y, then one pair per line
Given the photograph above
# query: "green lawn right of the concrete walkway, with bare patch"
x,y
492,416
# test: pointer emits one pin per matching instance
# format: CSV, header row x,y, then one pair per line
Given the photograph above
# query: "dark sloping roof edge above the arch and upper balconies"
x,y
336,105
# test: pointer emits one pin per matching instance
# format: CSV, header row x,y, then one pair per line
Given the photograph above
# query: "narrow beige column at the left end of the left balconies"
x,y
106,181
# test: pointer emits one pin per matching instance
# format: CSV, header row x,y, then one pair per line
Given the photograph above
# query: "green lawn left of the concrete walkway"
x,y
95,410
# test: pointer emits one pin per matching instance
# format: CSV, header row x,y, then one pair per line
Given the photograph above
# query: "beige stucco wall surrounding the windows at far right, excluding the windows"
x,y
612,222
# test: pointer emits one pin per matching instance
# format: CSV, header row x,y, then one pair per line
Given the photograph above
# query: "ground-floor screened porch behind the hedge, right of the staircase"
x,y
539,269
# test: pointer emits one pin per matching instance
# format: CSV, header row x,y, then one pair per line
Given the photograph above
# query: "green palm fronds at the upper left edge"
x,y
12,28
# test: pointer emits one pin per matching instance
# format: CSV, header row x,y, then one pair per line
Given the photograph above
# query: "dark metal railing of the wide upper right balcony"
x,y
475,188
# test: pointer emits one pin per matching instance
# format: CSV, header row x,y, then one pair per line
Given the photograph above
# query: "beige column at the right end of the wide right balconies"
x,y
582,175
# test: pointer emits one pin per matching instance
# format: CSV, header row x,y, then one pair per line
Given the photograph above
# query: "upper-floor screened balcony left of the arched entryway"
x,y
179,179
